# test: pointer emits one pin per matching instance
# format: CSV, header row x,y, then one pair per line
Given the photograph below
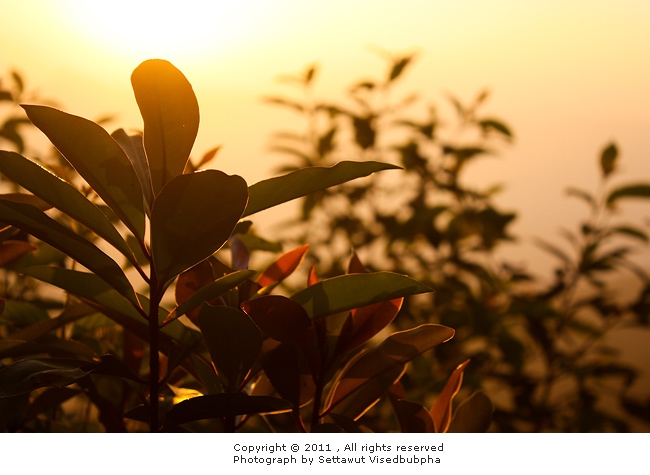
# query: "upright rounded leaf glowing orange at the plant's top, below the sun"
x,y
171,118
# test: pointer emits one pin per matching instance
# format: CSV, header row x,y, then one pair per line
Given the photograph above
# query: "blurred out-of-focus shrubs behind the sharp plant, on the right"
x,y
539,350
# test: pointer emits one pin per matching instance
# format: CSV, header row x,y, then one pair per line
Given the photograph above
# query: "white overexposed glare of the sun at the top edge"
x,y
149,28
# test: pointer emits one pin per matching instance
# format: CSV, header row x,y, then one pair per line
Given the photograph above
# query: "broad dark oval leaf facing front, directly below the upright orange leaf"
x,y
192,218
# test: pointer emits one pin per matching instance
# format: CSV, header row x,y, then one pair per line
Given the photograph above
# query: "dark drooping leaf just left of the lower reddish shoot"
x,y
233,341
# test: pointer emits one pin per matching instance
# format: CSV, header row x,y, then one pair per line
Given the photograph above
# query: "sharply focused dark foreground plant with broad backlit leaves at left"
x,y
130,219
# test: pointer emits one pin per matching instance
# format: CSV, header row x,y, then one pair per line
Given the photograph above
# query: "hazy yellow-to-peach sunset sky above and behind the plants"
x,y
567,76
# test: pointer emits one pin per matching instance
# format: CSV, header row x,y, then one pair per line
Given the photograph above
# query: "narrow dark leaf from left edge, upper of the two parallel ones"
x,y
62,196
